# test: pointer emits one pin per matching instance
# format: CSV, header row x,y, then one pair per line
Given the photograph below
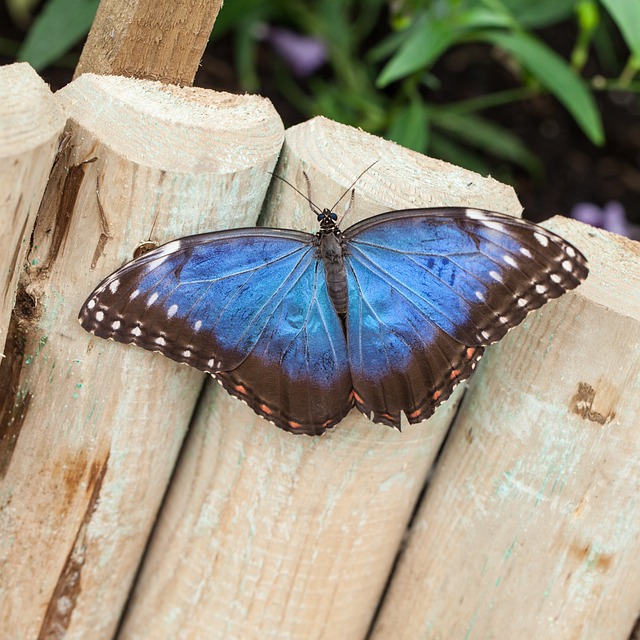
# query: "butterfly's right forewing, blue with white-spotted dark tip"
x,y
474,273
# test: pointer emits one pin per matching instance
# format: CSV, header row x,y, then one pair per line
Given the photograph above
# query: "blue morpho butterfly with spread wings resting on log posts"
x,y
387,316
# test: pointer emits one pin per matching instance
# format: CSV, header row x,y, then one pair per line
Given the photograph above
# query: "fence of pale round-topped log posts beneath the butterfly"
x,y
138,500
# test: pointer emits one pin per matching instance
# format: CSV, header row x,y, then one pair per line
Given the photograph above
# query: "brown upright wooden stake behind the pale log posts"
x,y
149,39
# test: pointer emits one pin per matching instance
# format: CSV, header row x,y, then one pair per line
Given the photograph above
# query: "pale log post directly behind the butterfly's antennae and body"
x,y
269,534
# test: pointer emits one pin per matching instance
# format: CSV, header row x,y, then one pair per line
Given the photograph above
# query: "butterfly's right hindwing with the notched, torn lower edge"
x,y
399,359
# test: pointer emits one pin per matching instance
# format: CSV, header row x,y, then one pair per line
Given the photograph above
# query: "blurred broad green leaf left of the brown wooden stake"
x,y
59,26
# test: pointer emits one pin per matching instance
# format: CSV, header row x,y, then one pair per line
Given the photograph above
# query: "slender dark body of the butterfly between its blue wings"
x,y
331,247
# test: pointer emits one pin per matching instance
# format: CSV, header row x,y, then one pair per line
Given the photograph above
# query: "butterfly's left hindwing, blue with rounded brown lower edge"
x,y
298,371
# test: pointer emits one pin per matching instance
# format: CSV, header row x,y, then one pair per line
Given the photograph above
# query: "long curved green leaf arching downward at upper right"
x,y
554,74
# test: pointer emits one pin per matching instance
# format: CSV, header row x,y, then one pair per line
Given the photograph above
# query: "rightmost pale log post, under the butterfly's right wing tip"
x,y
530,526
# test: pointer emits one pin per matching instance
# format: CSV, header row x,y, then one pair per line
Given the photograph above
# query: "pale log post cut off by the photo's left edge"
x,y
30,125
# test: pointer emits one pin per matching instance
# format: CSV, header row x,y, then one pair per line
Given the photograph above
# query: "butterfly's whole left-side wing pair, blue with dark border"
x,y
249,306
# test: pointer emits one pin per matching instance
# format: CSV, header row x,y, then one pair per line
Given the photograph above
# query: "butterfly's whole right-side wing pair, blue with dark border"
x,y
429,288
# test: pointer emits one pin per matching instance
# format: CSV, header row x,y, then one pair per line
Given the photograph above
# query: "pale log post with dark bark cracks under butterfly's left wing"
x,y
97,425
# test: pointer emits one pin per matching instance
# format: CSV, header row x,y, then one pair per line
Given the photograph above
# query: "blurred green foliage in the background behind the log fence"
x,y
381,55
